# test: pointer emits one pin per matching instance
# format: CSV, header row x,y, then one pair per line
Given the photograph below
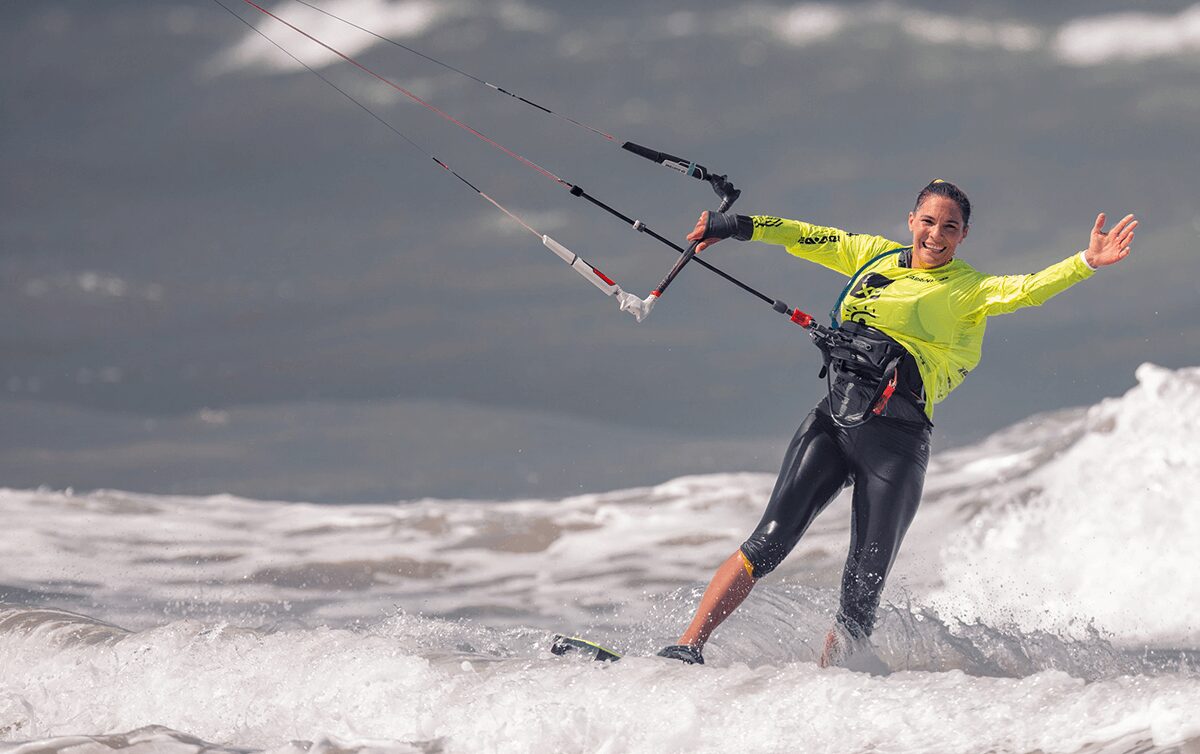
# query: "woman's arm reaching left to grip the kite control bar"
x,y
832,248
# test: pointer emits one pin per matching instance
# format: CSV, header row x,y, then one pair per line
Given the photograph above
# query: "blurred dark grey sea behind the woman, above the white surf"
x,y
219,276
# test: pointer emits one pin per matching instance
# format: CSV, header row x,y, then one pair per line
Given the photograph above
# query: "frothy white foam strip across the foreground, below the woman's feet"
x,y
386,690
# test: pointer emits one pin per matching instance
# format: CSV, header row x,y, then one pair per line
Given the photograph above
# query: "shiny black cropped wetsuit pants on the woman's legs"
x,y
886,460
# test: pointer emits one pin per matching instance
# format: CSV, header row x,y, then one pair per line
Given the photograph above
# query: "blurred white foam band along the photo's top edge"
x,y
1096,40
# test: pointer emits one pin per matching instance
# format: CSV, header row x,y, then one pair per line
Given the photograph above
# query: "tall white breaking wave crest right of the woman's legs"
x,y
1101,532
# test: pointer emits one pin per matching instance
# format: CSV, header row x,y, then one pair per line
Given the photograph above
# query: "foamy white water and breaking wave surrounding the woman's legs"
x,y
1047,600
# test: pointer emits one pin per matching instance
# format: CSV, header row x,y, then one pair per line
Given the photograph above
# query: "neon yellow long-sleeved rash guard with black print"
x,y
938,315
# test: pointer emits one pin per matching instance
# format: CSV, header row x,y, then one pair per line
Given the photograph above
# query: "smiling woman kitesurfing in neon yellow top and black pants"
x,y
914,321
